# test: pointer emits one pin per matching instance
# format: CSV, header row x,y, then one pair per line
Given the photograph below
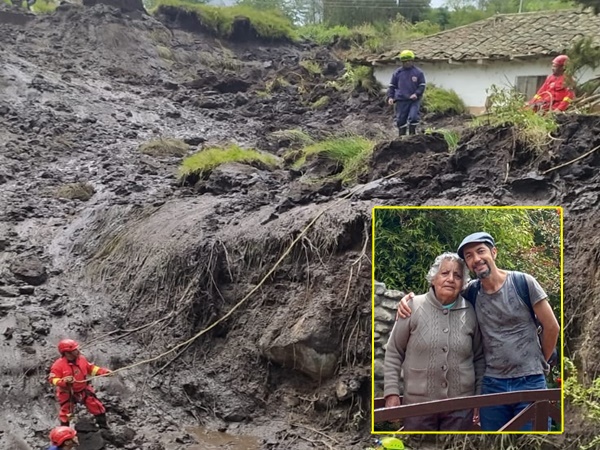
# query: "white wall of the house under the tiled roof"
x,y
470,79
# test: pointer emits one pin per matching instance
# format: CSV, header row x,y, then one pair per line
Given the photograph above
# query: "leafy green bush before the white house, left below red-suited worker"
x,y
507,107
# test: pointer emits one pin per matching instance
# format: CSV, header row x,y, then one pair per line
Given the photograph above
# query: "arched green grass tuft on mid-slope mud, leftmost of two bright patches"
x,y
201,164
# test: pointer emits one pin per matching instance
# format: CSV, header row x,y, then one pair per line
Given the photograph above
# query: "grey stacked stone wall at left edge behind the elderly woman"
x,y
386,302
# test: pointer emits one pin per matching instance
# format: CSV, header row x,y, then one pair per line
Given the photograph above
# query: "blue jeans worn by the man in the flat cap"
x,y
495,417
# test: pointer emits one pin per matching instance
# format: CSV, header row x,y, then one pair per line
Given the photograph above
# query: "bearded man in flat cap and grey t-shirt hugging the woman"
x,y
515,360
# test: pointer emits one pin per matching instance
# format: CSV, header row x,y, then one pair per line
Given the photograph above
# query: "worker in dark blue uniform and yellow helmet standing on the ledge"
x,y
405,92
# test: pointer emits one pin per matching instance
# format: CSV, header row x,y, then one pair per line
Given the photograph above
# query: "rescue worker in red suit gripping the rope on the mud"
x,y
69,374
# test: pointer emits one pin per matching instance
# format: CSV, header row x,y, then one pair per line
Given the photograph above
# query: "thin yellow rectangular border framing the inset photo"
x,y
562,402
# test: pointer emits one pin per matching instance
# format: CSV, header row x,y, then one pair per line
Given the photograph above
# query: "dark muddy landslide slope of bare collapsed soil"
x,y
147,264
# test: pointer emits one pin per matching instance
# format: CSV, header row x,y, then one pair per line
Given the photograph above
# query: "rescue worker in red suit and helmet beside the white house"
x,y
555,94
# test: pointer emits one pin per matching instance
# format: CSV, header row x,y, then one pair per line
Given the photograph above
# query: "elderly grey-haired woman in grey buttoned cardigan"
x,y
439,349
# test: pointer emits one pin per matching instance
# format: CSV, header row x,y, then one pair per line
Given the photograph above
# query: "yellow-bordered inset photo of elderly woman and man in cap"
x,y
467,320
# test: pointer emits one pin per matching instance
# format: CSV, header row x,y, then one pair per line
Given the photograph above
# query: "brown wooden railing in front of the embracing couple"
x,y
543,406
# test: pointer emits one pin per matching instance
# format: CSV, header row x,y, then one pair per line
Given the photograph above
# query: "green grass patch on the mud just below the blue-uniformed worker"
x,y
352,153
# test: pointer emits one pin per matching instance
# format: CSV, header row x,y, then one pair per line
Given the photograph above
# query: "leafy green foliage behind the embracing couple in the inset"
x,y
407,242
